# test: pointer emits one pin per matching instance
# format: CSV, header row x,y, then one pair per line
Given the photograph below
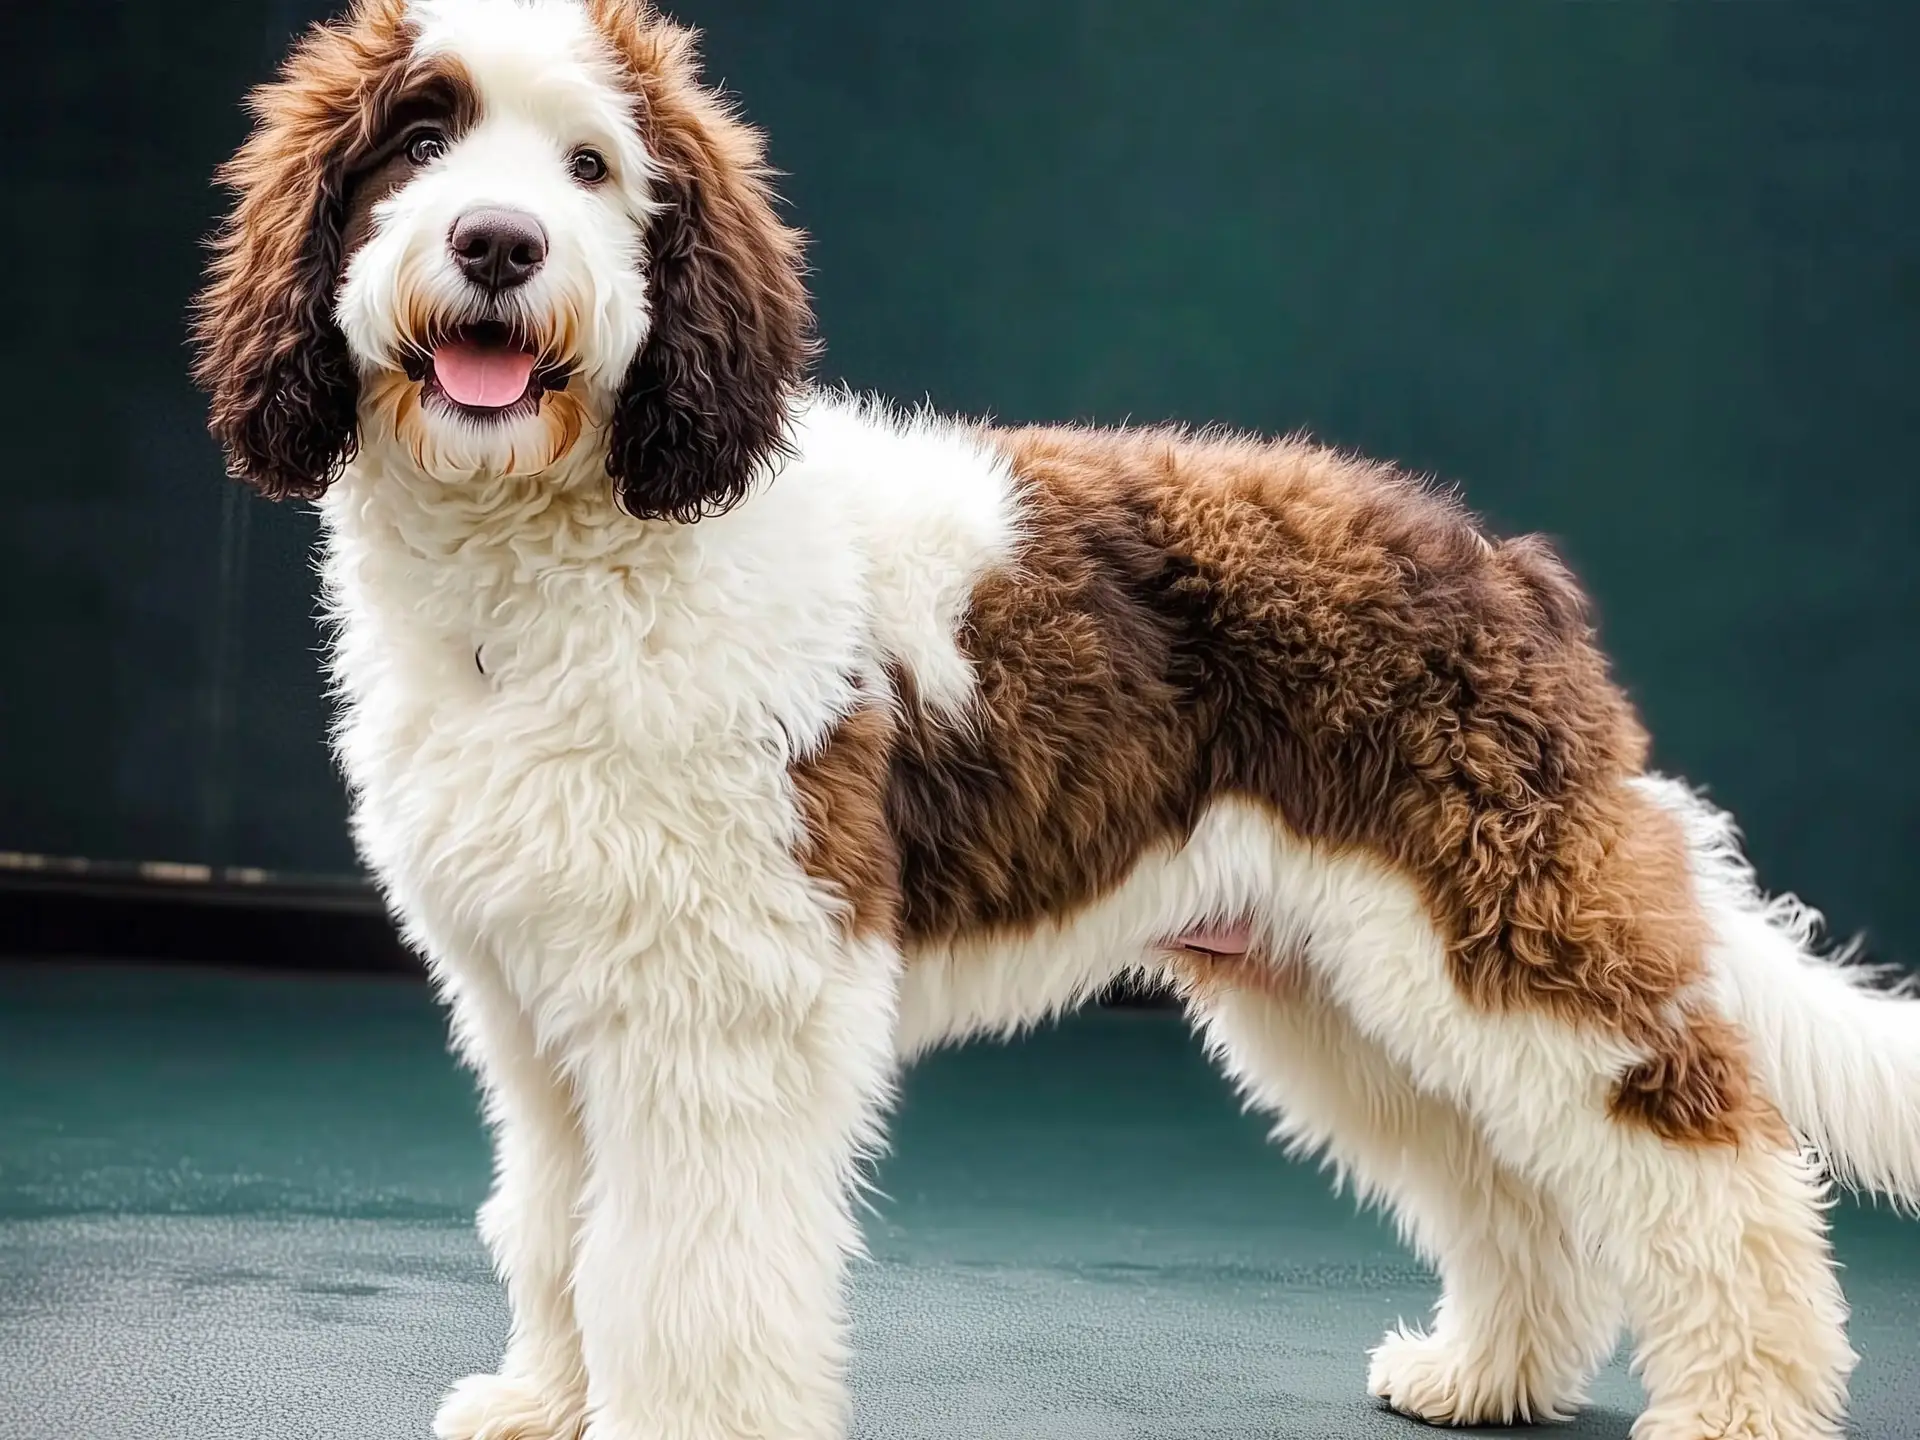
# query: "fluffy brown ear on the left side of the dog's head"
x,y
270,356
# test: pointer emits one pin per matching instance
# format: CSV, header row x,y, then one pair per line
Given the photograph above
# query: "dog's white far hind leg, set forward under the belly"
x,y
1525,1314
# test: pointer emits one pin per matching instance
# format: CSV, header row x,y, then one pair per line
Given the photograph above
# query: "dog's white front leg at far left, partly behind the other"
x,y
527,1224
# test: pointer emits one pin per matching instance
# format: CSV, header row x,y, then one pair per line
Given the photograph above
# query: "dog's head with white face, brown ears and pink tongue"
x,y
491,231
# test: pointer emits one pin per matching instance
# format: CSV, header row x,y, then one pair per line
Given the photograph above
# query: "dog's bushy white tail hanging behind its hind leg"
x,y
1836,1044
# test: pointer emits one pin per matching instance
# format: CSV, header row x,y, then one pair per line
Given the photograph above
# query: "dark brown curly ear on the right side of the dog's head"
x,y
709,396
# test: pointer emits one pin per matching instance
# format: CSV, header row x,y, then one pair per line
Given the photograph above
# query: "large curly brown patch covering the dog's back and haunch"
x,y
1197,619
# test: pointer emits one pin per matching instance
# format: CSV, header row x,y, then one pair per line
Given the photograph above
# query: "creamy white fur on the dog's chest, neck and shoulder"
x,y
619,767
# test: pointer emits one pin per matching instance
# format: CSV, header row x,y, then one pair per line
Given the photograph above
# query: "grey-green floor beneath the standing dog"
x,y
241,1209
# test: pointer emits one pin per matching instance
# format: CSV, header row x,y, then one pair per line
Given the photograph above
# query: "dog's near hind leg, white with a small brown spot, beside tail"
x,y
1668,1161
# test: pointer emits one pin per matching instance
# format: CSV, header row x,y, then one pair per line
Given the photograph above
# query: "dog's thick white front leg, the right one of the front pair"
x,y
727,1120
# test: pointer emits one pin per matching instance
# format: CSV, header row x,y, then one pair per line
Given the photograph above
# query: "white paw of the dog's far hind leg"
x,y
1447,1383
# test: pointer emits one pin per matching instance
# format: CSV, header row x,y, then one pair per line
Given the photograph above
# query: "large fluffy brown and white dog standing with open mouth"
x,y
725,742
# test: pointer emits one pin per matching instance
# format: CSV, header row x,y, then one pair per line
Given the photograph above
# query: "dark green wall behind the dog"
x,y
1641,276
